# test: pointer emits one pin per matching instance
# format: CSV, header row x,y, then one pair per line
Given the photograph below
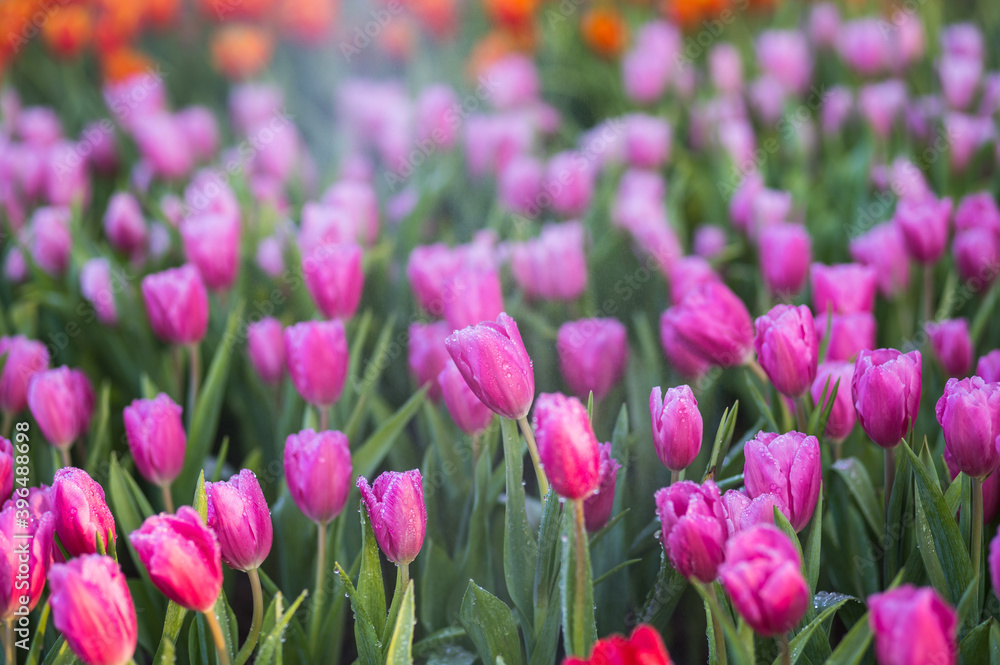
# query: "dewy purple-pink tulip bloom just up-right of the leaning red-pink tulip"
x,y
241,520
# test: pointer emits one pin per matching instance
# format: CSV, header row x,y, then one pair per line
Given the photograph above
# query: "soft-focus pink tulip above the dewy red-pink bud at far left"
x,y
62,402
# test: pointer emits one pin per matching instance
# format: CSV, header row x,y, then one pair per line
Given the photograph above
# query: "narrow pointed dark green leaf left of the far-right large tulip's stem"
x,y
939,525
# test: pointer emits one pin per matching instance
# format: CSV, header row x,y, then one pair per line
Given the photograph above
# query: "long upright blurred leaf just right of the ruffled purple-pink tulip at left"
x,y
205,418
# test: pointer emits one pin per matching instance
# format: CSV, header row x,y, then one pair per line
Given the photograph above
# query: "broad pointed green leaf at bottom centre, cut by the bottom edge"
x,y
491,626
